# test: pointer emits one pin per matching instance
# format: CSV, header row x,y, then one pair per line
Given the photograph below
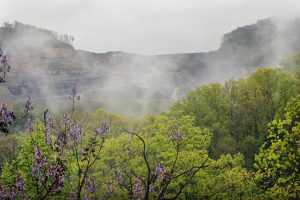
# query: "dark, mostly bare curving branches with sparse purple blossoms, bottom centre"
x,y
160,173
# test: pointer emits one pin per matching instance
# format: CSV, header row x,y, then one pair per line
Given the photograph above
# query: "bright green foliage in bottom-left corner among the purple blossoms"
x,y
24,162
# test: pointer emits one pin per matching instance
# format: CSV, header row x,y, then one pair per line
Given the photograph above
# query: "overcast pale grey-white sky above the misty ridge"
x,y
145,26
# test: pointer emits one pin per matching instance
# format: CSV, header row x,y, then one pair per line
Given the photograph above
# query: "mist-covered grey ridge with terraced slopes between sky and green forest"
x,y
46,66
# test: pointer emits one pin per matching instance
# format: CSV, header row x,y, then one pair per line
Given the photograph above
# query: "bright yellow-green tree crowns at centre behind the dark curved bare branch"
x,y
125,151
